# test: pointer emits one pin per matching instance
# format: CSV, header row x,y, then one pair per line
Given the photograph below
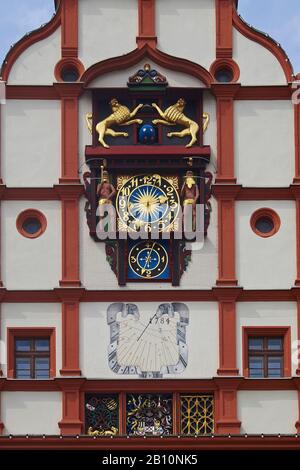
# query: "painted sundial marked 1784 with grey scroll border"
x,y
148,344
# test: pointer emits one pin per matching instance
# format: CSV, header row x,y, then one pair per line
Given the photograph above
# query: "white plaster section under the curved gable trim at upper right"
x,y
264,70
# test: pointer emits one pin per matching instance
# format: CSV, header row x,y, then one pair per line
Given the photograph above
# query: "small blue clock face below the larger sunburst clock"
x,y
148,260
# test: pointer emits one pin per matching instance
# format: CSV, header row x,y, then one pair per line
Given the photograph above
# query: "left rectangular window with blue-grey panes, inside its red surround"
x,y
32,358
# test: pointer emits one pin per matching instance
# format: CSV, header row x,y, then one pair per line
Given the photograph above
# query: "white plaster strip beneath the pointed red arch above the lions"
x,y
120,77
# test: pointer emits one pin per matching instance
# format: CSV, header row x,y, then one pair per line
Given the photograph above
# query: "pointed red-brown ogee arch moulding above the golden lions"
x,y
161,58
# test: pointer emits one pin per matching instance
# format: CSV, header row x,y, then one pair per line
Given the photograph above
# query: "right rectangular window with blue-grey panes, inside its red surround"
x,y
265,357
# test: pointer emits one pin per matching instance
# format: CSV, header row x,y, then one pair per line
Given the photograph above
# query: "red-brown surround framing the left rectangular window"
x,y
29,332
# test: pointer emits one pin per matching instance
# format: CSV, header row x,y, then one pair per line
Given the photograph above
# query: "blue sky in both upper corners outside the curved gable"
x,y
279,18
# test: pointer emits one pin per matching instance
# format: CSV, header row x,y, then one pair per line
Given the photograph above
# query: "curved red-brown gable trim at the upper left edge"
x,y
29,40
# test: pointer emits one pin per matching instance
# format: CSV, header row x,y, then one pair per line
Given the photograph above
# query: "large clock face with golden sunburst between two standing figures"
x,y
148,202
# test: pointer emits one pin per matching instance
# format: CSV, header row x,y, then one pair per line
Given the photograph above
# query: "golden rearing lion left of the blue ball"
x,y
120,116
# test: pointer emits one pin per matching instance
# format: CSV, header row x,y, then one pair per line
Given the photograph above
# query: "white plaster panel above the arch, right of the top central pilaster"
x,y
187,29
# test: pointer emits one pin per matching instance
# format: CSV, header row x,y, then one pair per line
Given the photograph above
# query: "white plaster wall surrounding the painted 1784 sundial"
x,y
202,339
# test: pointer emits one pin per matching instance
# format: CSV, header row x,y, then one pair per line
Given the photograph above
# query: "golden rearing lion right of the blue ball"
x,y
174,115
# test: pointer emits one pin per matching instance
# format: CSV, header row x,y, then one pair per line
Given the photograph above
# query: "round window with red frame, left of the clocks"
x,y
31,223
